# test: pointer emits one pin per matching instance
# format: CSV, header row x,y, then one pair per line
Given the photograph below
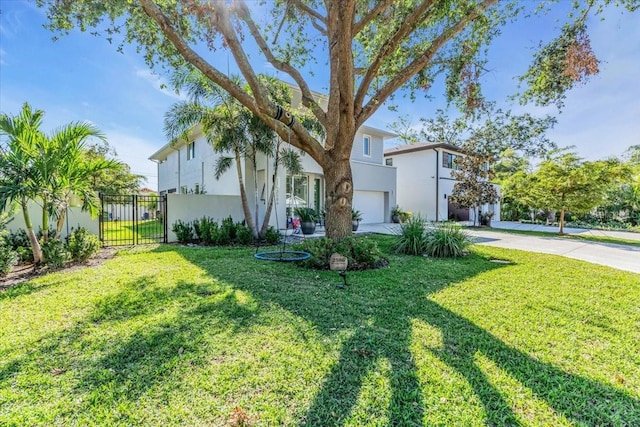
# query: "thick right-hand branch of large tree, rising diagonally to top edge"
x,y
419,63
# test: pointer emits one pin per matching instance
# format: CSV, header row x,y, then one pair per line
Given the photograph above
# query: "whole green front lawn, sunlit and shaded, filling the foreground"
x,y
173,335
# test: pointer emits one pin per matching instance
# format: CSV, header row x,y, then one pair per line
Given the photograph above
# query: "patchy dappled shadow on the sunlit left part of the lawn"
x,y
168,328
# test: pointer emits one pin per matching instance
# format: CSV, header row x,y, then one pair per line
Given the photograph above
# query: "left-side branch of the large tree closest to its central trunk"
x,y
307,97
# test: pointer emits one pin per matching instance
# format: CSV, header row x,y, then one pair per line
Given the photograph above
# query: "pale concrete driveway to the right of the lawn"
x,y
622,257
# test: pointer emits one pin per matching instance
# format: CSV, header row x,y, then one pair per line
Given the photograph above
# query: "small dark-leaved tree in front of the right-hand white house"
x,y
473,188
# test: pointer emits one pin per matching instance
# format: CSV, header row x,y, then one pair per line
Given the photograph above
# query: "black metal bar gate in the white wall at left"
x,y
131,219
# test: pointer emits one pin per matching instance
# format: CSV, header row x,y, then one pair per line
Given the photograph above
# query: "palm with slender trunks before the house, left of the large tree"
x,y
229,128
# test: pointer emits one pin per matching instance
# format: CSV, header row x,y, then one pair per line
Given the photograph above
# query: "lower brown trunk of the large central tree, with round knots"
x,y
339,198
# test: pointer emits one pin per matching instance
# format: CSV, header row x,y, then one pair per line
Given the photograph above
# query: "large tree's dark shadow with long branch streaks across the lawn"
x,y
381,314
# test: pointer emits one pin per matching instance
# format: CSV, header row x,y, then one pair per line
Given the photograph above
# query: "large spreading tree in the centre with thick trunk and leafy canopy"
x,y
371,49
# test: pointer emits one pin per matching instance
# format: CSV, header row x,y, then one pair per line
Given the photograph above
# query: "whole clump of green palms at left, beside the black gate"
x,y
49,169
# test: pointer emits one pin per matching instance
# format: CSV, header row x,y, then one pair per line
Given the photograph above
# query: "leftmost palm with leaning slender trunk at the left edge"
x,y
20,180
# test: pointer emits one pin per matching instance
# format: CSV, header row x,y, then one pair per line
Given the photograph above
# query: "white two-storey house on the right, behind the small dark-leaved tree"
x,y
425,183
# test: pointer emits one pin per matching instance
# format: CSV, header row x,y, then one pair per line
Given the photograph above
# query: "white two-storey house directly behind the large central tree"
x,y
187,167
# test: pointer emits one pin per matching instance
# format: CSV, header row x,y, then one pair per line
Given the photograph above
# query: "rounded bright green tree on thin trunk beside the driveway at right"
x,y
564,182
